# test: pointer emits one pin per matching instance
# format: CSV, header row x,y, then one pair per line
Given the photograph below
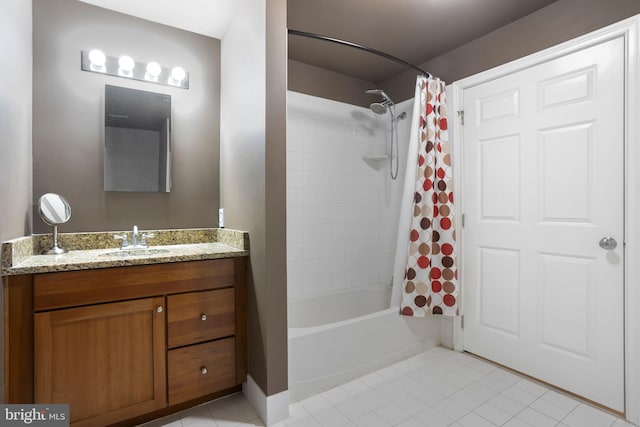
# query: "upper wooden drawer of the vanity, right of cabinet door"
x,y
200,316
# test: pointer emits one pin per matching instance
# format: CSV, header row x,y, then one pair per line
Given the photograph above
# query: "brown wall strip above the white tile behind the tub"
x,y
316,81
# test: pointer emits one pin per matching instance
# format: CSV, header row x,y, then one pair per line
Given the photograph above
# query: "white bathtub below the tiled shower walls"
x,y
337,337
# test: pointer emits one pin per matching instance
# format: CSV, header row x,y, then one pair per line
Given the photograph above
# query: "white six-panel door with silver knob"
x,y
543,184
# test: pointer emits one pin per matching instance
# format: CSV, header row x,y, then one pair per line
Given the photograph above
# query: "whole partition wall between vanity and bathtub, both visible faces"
x,y
252,175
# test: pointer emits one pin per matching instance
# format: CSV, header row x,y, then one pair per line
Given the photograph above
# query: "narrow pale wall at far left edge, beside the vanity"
x,y
15,129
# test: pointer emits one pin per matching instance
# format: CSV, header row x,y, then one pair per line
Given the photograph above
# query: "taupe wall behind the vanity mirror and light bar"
x,y
68,109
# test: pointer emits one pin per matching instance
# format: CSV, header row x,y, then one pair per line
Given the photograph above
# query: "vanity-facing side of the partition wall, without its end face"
x,y
242,152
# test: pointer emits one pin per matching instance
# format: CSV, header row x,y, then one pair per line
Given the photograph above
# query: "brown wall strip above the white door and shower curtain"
x,y
559,22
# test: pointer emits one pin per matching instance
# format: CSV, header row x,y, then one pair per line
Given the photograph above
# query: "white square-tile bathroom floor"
x,y
436,388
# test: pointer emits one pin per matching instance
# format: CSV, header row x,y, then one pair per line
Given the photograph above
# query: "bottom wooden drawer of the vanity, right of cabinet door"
x,y
201,369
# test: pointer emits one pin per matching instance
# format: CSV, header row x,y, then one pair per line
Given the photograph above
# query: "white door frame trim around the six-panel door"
x,y
629,30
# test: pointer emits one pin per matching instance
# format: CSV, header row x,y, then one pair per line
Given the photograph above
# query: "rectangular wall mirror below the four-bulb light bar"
x,y
137,140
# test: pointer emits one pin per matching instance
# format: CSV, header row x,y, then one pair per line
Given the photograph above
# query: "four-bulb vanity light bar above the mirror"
x,y
125,66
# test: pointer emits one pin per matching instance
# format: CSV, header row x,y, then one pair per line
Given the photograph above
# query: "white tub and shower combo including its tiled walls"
x,y
342,237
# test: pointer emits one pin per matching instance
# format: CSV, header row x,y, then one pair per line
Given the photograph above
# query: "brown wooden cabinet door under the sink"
x,y
106,361
